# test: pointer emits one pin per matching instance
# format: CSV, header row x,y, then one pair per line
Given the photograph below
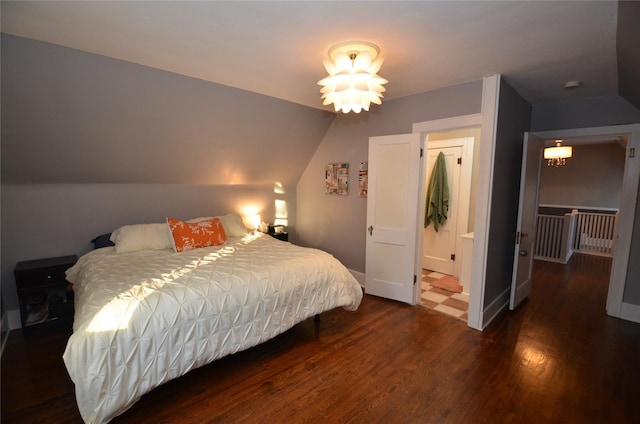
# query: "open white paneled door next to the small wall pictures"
x,y
392,216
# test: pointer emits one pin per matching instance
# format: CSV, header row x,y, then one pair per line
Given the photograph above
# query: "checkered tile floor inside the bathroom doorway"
x,y
454,304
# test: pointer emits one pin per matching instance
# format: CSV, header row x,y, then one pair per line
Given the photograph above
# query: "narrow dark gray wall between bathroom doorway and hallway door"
x,y
514,117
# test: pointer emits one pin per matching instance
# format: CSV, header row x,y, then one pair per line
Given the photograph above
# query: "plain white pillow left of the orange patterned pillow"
x,y
131,238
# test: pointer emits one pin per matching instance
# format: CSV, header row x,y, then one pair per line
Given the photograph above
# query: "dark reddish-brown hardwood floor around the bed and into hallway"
x,y
557,359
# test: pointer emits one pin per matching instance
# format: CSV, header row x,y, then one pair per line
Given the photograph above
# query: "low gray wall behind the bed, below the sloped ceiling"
x,y
47,220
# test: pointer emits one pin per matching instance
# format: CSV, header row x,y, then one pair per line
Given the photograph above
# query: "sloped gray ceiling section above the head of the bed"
x,y
74,117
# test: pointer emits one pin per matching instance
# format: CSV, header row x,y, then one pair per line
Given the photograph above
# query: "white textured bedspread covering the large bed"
x,y
146,317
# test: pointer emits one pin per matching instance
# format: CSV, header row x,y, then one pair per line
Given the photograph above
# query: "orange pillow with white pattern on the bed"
x,y
188,236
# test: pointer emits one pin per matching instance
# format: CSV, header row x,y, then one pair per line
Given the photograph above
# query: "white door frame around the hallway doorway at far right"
x,y
628,198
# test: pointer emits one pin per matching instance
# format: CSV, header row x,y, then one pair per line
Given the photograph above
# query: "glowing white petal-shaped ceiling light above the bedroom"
x,y
353,83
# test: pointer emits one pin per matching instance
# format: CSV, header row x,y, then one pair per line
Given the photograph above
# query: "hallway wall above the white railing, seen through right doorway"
x,y
573,184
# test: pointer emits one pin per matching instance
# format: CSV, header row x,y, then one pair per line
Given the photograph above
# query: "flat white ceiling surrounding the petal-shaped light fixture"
x,y
277,48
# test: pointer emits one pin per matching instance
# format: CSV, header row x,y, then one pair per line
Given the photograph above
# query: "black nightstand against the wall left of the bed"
x,y
46,303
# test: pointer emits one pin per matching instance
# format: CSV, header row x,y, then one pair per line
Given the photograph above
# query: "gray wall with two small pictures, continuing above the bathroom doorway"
x,y
337,223
